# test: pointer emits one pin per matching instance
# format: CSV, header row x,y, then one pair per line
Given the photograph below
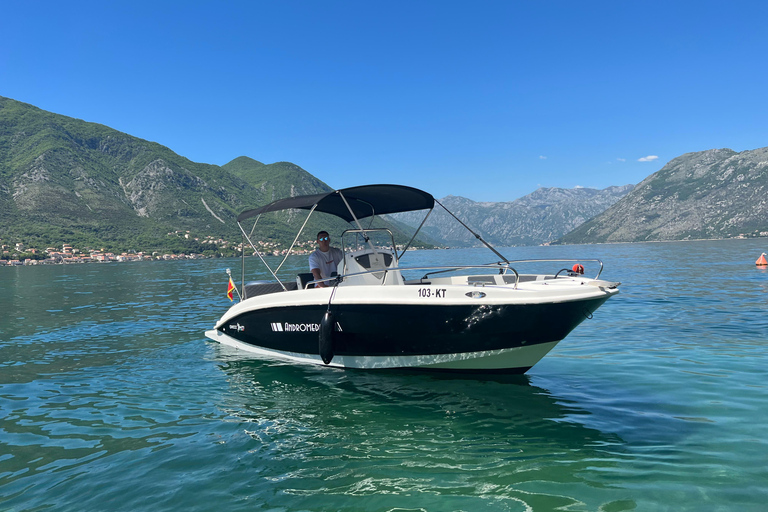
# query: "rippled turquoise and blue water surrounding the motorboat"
x,y
112,399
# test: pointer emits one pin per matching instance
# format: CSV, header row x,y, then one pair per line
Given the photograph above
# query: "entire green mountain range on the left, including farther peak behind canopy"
x,y
64,180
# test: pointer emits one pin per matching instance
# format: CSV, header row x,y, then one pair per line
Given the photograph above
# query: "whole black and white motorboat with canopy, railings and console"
x,y
377,314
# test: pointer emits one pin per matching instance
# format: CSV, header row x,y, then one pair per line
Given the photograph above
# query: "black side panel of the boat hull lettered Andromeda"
x,y
397,330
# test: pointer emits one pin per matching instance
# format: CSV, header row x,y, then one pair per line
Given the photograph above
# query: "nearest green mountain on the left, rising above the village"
x,y
63,178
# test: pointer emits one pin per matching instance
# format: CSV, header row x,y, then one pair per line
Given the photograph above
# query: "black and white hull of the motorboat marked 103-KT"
x,y
445,327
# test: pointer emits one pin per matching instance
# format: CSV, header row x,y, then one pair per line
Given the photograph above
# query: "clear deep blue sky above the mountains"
x,y
488,100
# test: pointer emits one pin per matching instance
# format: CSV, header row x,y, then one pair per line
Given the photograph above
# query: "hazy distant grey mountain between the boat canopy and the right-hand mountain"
x,y
540,217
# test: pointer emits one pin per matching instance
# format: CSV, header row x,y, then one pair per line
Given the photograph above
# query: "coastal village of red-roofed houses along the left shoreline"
x,y
17,253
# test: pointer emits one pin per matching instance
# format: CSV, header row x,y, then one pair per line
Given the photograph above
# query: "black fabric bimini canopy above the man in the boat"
x,y
364,201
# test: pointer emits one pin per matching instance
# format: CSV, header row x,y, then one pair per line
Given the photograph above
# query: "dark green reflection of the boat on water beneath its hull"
x,y
501,409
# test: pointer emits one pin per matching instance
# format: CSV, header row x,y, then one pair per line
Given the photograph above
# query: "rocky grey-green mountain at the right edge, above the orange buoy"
x,y
717,193
